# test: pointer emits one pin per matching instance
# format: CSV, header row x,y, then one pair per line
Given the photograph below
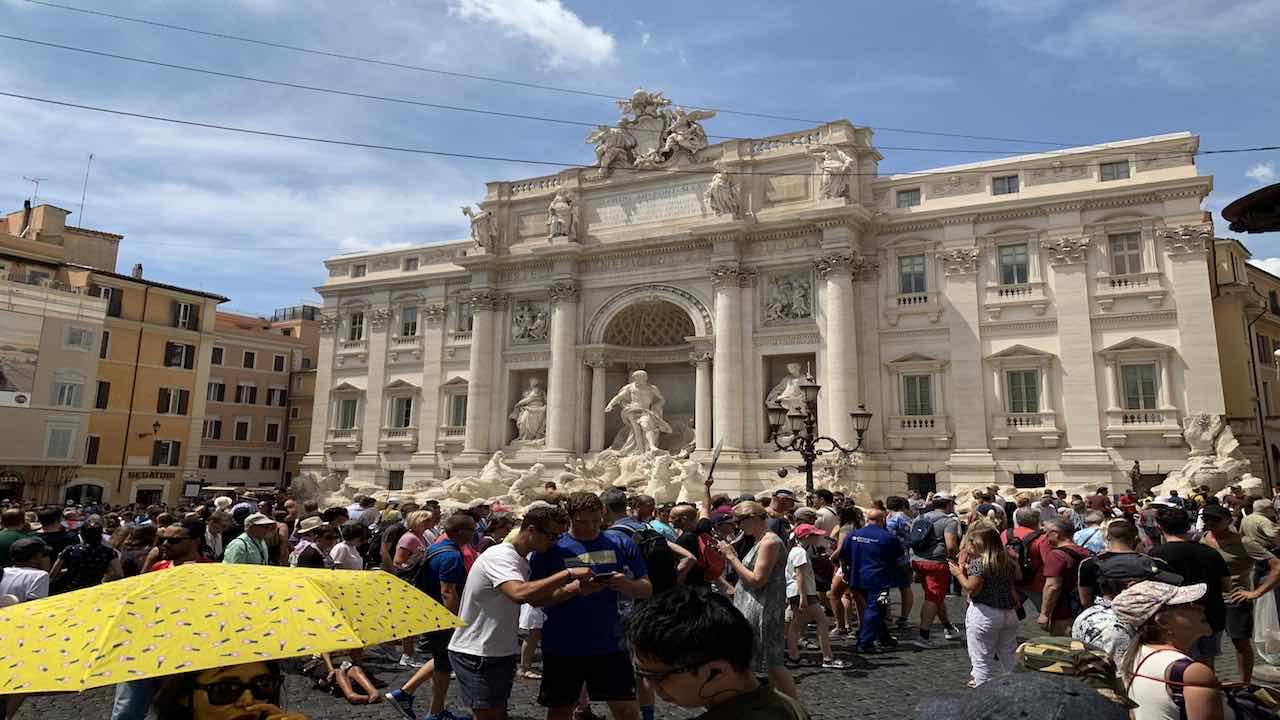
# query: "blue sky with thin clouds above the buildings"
x,y
254,217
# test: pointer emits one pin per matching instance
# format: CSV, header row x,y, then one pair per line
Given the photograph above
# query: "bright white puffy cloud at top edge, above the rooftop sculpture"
x,y
557,30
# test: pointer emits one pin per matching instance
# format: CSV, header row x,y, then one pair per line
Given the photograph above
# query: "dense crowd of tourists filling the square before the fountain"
x,y
715,603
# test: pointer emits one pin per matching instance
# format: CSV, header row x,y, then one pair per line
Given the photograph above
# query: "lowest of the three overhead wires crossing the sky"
x,y
579,166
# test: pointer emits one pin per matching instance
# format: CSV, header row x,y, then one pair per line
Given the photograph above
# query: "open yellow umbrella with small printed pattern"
x,y
204,616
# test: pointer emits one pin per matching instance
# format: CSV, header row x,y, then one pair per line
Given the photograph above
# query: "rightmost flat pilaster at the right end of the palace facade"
x,y
1187,248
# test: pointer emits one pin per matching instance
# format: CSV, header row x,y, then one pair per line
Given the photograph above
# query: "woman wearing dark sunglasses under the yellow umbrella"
x,y
236,692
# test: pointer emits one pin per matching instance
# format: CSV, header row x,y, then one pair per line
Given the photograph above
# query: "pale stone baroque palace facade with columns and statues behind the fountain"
x,y
1041,320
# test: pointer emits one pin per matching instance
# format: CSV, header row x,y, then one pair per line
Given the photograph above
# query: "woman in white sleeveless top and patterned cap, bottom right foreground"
x,y
1159,675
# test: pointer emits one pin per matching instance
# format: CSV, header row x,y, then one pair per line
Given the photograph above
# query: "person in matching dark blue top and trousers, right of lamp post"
x,y
872,555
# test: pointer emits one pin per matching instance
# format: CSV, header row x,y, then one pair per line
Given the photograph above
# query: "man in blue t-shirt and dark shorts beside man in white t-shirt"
x,y
583,634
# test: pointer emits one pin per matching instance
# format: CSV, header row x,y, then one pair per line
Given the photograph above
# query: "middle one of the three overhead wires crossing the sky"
x,y
426,104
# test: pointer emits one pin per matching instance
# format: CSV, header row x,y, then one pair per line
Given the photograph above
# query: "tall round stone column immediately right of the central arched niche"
x,y
728,371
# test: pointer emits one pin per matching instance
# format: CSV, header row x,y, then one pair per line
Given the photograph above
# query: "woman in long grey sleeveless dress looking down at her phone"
x,y
762,593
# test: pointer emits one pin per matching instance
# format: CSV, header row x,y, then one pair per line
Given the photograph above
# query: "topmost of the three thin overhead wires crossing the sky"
x,y
499,80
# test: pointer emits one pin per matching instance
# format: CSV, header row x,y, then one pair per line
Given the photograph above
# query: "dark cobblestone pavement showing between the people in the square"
x,y
877,687
